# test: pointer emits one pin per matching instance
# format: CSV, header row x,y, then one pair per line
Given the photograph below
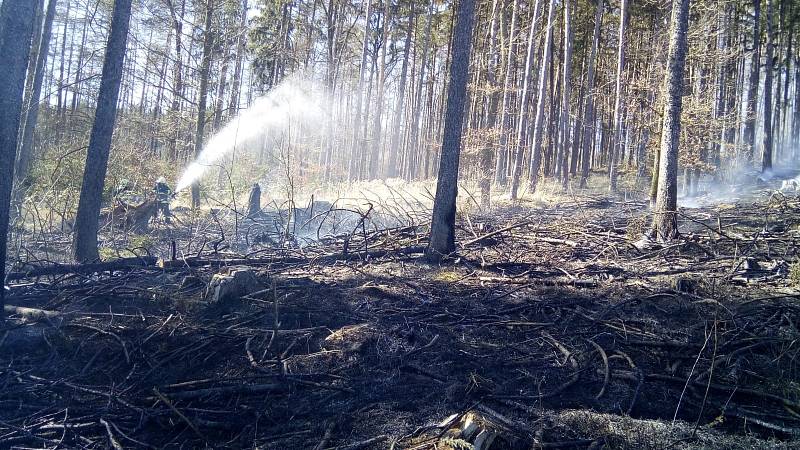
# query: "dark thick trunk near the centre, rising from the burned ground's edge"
x,y
442,237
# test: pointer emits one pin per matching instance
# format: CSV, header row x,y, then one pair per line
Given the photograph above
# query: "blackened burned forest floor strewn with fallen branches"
x,y
547,329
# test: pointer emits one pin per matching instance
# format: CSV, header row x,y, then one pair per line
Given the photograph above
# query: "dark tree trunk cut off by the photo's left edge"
x,y
16,30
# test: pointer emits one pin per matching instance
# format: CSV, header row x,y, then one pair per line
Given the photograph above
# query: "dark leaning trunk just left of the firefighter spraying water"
x,y
84,243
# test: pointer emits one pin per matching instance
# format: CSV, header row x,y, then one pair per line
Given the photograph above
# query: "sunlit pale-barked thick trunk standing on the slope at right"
x,y
665,224
